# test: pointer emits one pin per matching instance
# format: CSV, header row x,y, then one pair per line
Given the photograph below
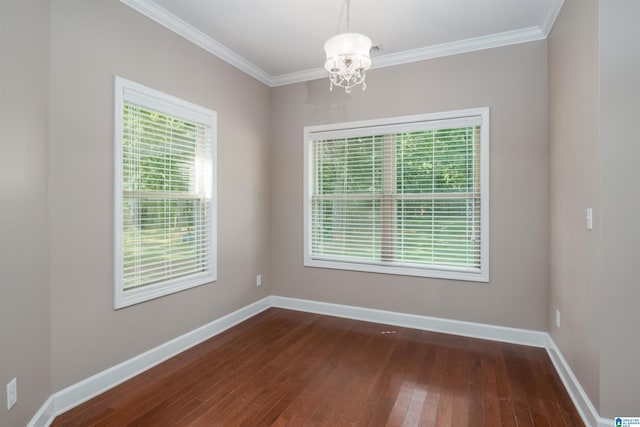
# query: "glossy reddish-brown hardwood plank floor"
x,y
288,368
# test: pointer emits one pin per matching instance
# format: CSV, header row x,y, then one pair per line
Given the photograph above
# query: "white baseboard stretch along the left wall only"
x,y
82,391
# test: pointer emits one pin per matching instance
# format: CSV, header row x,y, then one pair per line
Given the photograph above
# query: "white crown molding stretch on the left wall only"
x,y
180,27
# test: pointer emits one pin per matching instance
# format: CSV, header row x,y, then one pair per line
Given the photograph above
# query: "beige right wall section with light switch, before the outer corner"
x,y
574,186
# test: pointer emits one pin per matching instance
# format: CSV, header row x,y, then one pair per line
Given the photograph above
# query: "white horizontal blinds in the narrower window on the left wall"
x,y
166,197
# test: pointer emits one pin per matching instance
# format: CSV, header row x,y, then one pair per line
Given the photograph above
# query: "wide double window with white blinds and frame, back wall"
x,y
407,196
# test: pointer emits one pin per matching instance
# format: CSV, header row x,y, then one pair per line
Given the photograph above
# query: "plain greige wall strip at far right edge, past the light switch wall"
x,y
620,148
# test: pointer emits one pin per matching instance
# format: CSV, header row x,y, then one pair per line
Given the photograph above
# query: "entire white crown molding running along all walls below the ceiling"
x,y
180,27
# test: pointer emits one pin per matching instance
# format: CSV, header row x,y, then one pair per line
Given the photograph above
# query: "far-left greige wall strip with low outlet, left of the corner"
x,y
24,288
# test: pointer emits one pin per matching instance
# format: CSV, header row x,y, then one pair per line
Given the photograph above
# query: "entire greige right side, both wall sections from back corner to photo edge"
x,y
593,110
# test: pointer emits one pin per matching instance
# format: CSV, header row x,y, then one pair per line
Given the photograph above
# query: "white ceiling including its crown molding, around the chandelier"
x,y
281,41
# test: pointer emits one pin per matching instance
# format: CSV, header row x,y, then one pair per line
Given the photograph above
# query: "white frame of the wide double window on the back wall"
x,y
401,124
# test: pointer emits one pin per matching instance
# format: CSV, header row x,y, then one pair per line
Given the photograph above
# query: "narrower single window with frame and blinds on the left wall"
x,y
165,194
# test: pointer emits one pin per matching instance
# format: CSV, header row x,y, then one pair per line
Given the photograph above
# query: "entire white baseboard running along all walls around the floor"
x,y
78,393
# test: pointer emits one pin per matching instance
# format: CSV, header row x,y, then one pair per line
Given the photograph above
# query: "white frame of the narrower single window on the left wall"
x,y
131,92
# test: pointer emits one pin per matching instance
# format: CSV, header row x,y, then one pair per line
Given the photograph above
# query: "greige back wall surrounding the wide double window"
x,y
512,81
